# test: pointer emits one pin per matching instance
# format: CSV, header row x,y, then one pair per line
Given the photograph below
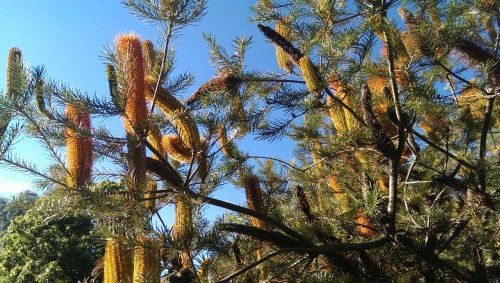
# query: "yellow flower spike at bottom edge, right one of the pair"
x,y
146,261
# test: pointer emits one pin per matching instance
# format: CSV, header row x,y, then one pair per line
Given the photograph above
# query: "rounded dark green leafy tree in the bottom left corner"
x,y
48,243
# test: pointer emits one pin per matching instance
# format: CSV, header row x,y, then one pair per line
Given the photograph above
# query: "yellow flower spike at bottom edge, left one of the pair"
x,y
118,265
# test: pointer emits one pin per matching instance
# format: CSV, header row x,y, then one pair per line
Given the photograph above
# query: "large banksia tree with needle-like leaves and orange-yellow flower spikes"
x,y
391,109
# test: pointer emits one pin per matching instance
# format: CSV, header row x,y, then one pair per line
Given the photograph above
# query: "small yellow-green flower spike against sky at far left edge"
x,y
15,79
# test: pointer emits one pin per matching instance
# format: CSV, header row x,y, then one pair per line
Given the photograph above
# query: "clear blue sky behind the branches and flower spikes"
x,y
67,36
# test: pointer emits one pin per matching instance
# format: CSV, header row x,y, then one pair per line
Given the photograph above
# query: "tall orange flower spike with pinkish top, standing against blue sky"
x,y
130,61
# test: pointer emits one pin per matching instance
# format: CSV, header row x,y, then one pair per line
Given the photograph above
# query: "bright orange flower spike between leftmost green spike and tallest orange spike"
x,y
79,147
